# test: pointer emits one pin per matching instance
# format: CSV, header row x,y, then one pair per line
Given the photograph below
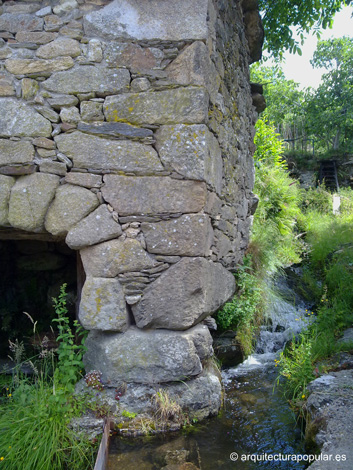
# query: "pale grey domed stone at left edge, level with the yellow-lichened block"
x,y
21,120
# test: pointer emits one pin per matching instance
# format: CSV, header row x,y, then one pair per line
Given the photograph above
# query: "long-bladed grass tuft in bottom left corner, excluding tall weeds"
x,y
35,432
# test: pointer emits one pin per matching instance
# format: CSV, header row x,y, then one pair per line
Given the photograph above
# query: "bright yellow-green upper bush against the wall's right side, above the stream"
x,y
273,234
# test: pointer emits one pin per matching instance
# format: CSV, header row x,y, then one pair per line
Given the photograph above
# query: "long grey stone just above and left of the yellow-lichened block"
x,y
87,78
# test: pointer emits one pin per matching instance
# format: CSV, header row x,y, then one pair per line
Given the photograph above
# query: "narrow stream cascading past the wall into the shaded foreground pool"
x,y
256,419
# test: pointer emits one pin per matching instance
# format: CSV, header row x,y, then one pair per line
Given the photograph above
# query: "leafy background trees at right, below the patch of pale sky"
x,y
325,114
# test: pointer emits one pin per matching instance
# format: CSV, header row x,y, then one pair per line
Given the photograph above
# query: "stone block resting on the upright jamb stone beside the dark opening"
x,y
114,257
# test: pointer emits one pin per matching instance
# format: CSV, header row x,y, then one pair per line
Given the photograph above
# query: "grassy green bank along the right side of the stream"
x,y
328,275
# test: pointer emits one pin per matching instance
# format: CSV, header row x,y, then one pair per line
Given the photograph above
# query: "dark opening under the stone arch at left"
x,y
32,272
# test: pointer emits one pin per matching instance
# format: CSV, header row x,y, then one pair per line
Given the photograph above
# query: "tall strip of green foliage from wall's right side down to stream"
x,y
273,241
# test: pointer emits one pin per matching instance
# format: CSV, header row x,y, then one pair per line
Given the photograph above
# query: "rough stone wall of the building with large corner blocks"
x,y
126,129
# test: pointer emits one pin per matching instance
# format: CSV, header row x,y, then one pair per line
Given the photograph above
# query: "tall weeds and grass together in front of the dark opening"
x,y
36,411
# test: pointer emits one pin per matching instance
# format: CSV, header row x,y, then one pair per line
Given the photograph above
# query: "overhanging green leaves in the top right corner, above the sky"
x,y
280,17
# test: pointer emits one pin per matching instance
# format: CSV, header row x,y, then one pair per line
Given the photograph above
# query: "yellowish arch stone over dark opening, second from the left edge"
x,y
30,199
